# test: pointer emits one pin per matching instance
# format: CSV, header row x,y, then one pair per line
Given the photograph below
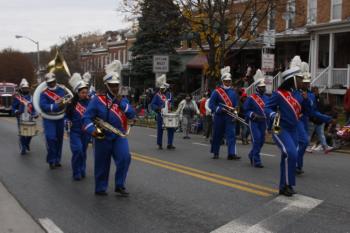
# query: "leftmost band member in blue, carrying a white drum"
x,y
22,108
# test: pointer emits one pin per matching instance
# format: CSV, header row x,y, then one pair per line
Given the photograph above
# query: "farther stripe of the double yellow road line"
x,y
208,173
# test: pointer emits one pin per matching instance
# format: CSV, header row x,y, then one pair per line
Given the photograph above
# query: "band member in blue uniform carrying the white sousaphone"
x,y
51,103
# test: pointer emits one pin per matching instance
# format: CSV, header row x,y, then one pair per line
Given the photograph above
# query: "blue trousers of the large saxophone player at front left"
x,y
104,150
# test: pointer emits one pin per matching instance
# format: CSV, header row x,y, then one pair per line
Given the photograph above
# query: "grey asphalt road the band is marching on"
x,y
179,191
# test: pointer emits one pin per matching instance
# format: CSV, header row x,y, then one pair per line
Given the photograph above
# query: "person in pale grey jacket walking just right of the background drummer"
x,y
187,109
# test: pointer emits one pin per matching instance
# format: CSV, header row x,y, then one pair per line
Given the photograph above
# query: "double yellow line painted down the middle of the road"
x,y
208,176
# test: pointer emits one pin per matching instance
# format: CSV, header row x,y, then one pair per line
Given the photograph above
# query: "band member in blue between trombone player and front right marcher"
x,y
255,115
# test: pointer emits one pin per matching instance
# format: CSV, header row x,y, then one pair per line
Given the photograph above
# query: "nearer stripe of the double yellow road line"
x,y
202,177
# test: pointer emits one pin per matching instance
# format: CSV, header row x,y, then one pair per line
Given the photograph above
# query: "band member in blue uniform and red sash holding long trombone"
x,y
224,97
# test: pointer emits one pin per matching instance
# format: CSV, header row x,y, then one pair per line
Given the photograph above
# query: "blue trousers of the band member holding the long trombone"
x,y
223,125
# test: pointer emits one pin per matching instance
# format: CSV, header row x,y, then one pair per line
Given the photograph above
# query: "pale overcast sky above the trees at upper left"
x,y
47,21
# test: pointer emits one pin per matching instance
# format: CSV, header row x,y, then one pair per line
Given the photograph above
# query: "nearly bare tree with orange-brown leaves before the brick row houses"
x,y
219,26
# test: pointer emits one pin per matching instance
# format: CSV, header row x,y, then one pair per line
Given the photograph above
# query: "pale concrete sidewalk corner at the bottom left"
x,y
13,218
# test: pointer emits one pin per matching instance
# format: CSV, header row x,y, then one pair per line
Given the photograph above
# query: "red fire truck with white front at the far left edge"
x,y
7,90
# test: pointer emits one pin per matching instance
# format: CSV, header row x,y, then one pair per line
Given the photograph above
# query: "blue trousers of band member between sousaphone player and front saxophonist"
x,y
78,144
